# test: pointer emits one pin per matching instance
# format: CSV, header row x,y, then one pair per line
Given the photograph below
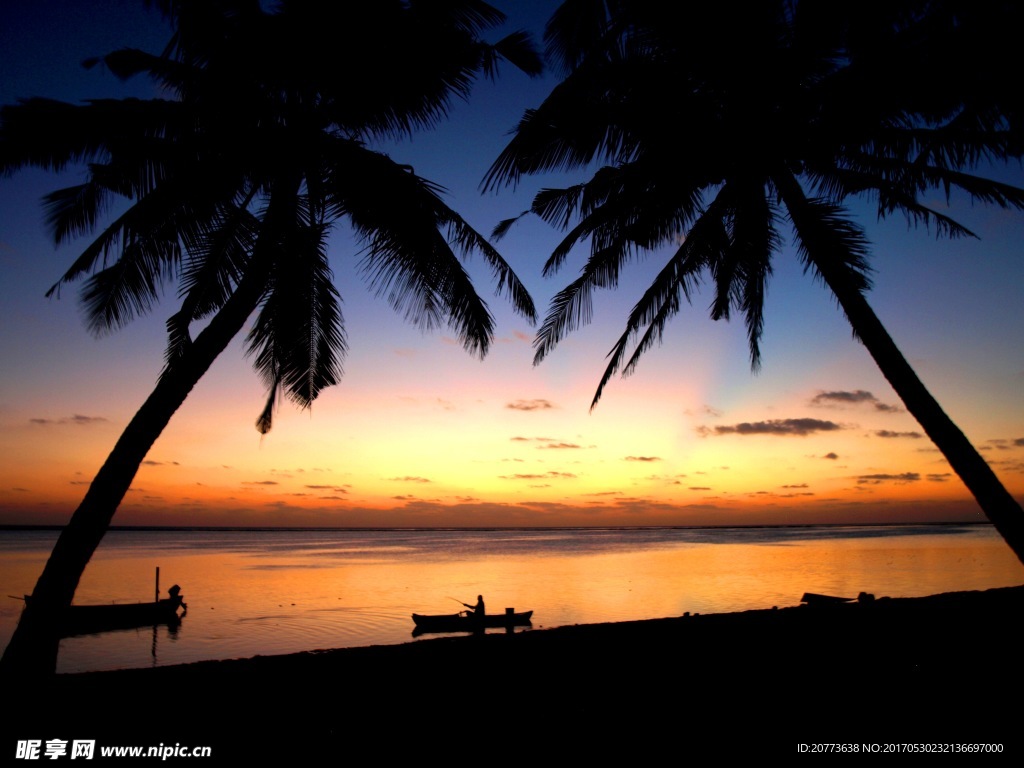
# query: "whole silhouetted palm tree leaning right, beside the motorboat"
x,y
234,186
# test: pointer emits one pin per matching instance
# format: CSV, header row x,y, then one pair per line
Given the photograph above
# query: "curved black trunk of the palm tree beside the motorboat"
x,y
33,650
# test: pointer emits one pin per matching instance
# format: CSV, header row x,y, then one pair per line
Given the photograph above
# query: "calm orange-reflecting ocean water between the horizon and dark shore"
x,y
267,592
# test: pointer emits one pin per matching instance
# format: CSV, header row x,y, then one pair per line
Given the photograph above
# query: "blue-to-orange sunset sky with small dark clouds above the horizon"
x,y
420,434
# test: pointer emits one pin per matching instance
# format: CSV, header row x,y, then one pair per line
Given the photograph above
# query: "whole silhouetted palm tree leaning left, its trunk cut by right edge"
x,y
737,124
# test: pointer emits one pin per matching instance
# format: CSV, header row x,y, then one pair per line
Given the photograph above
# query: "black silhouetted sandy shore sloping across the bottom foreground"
x,y
942,670
